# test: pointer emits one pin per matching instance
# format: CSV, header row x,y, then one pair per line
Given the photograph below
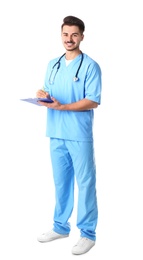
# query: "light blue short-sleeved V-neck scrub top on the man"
x,y
73,125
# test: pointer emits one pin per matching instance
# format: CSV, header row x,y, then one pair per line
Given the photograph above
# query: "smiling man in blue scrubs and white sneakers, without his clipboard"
x,y
73,82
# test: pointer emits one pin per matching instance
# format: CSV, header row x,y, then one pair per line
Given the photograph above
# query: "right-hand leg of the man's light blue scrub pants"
x,y
82,154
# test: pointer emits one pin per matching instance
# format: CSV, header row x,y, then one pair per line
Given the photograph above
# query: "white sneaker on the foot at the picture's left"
x,y
51,235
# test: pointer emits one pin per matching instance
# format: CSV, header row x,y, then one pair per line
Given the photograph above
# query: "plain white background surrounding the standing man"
x,y
30,36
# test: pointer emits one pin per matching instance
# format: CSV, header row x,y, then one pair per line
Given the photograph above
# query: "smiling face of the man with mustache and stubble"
x,y
71,37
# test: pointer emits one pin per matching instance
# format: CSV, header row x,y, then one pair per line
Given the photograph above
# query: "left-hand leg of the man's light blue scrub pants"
x,y
63,176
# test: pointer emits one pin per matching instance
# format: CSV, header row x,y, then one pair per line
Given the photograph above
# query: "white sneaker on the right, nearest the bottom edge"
x,y
83,245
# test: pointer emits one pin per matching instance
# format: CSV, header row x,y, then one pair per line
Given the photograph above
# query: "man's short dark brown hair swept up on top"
x,y
72,20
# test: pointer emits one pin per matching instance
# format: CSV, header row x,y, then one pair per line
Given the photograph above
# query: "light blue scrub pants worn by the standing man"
x,y
70,160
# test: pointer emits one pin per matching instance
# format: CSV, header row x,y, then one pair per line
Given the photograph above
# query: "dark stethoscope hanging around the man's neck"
x,y
58,63
